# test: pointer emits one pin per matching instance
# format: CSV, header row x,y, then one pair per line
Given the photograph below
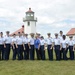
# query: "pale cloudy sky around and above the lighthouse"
x,y
52,15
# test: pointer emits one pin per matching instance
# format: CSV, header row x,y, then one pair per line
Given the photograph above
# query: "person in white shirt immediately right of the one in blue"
x,y
42,48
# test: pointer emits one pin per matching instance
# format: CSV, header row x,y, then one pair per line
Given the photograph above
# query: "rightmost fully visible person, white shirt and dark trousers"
x,y
71,47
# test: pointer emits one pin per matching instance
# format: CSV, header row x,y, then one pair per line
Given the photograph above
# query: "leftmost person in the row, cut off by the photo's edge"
x,y
1,46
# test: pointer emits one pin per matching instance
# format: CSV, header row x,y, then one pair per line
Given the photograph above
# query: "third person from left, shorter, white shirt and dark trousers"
x,y
14,41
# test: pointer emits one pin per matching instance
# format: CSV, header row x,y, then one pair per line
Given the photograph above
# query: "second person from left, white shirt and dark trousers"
x,y
7,41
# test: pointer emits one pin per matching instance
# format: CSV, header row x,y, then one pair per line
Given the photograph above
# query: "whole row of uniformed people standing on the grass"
x,y
25,48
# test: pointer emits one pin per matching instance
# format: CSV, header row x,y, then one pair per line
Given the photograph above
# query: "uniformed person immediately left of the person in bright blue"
x,y
31,46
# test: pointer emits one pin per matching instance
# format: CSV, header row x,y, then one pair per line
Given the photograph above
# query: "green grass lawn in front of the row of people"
x,y
37,67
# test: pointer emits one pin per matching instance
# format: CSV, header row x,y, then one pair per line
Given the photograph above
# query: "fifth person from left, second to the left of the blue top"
x,y
25,47
